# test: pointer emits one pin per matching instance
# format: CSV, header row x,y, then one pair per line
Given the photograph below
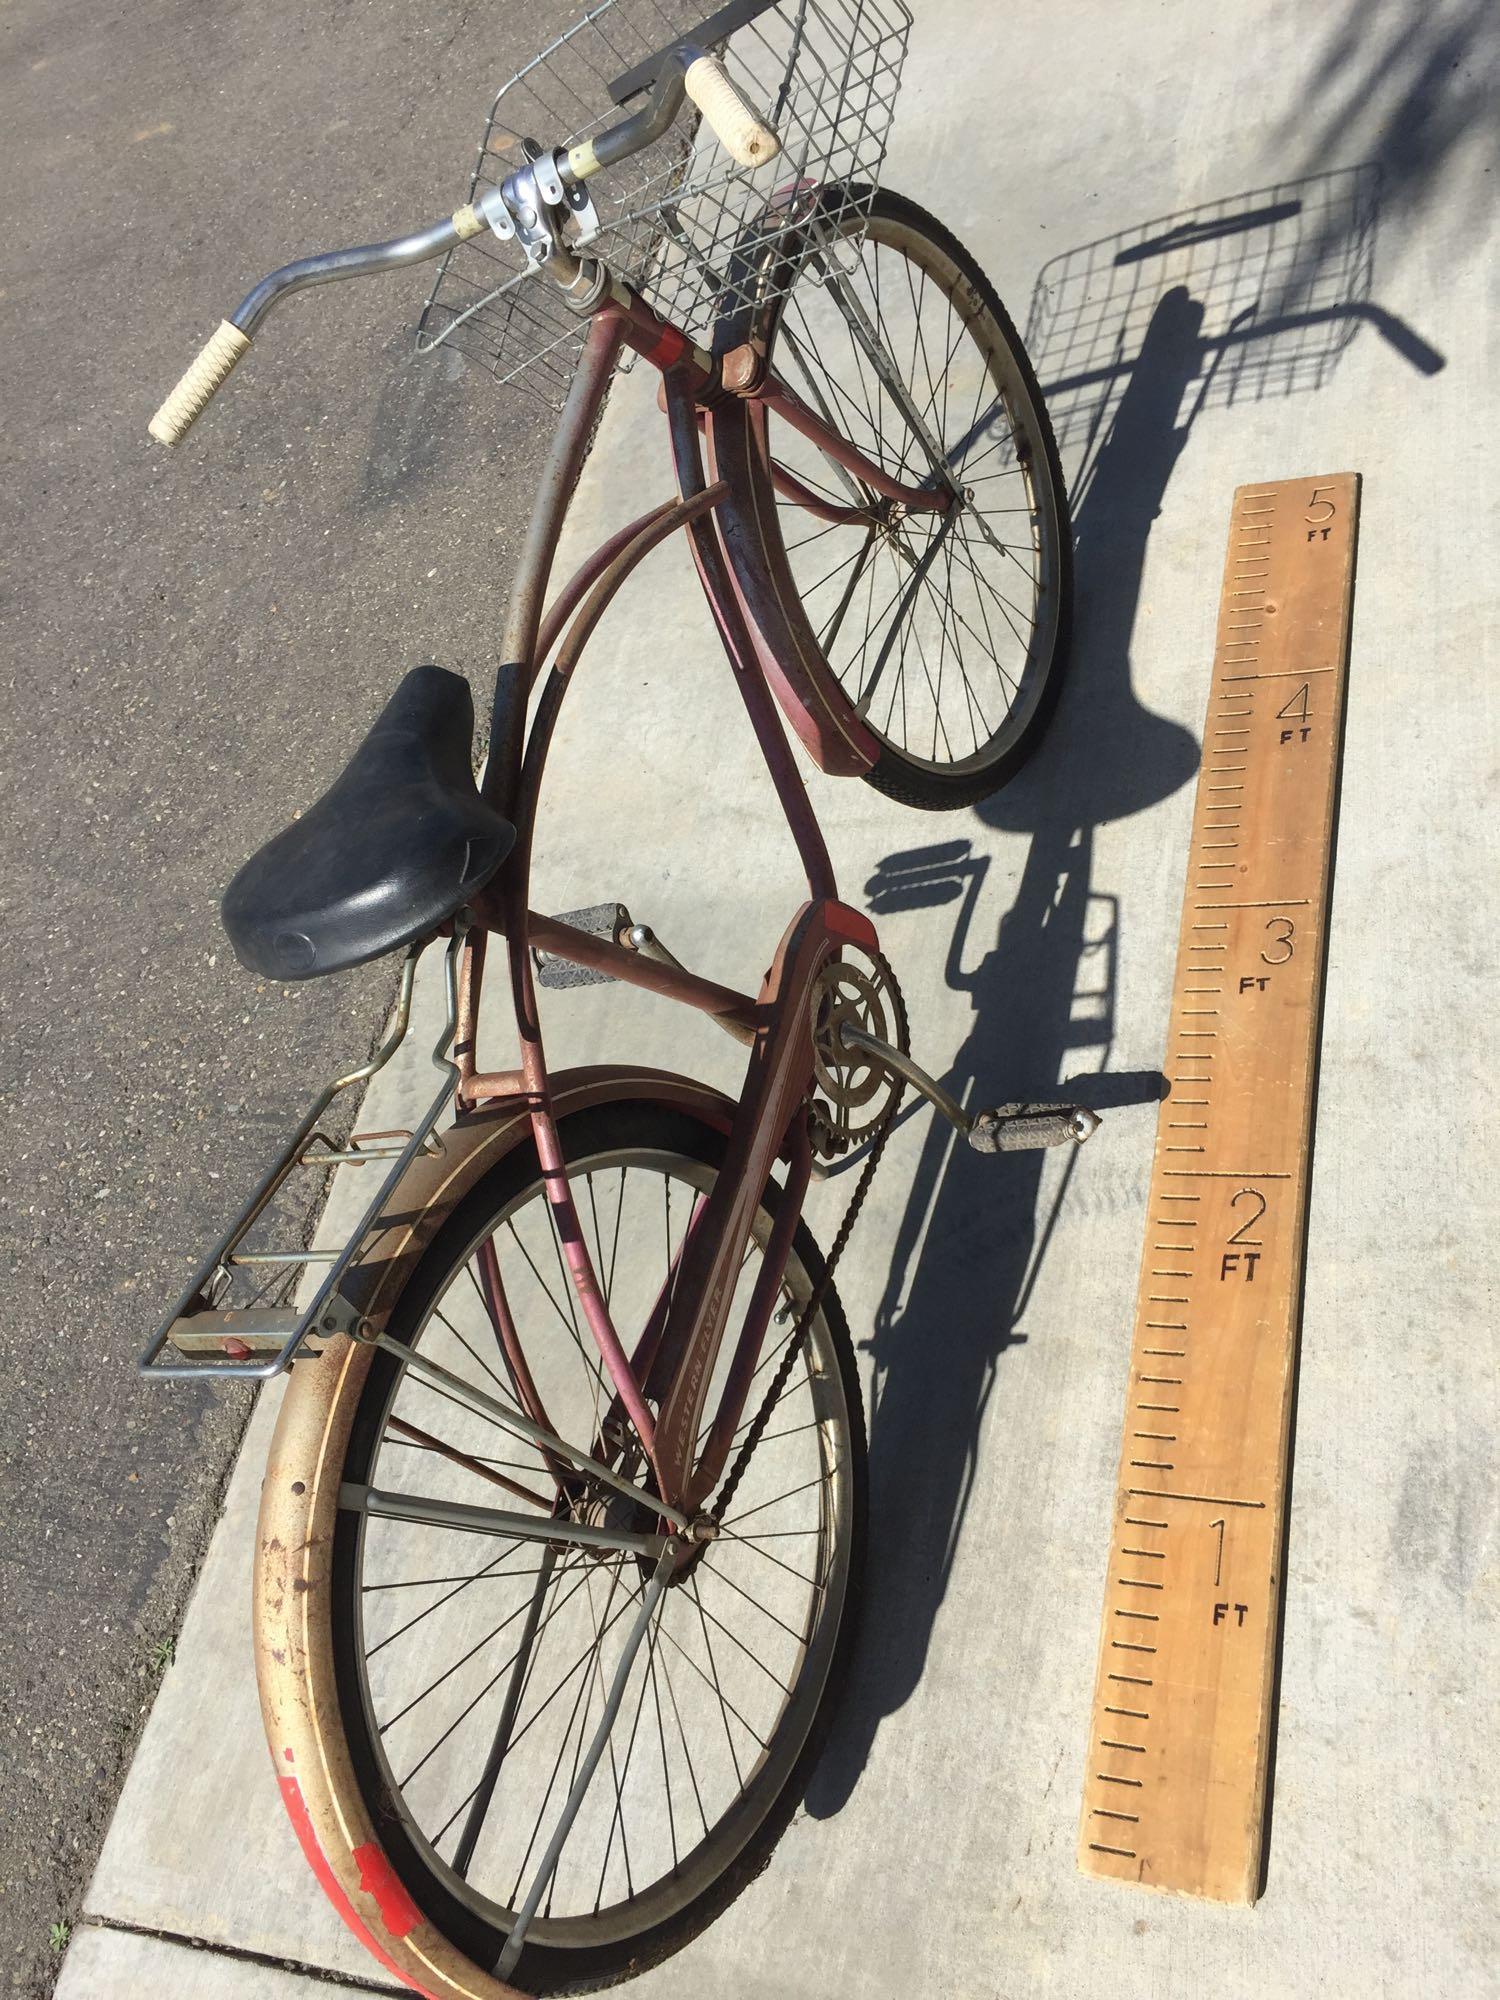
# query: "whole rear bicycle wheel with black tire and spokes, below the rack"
x,y
473,1671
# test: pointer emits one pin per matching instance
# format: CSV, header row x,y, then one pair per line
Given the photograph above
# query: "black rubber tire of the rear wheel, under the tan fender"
x,y
549,1967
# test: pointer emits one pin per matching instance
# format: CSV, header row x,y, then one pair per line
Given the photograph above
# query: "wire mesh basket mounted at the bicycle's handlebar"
x,y
681,219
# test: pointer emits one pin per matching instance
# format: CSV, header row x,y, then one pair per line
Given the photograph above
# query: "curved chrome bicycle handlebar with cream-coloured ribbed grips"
x,y
685,71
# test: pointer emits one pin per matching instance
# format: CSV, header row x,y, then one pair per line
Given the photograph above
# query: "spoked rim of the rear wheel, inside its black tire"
x,y
725,1687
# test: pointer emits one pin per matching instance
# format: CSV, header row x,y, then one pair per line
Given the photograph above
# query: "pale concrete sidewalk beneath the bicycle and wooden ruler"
x,y
1147,181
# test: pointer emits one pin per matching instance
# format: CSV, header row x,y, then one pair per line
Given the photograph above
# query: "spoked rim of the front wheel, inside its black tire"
x,y
943,651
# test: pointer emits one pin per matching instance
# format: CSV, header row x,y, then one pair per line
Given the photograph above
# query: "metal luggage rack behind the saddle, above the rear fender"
x,y
215,1333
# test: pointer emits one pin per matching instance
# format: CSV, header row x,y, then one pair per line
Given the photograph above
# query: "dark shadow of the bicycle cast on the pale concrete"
x,y
975,1229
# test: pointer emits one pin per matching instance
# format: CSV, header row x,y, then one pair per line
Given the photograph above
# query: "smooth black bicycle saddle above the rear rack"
x,y
393,849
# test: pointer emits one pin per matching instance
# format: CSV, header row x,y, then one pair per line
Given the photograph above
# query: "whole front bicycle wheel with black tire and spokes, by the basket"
x,y
947,633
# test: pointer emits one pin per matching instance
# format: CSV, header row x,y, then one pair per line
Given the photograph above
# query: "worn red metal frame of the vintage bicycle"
x,y
769,647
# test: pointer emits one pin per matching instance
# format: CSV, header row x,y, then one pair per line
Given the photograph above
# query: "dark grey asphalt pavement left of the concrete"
x,y
193,643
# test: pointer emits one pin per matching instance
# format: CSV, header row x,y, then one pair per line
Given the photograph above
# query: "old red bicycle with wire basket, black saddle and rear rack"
x,y
563,1525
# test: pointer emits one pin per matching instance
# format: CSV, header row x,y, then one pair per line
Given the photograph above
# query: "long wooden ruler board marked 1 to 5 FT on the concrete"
x,y
1175,1785
